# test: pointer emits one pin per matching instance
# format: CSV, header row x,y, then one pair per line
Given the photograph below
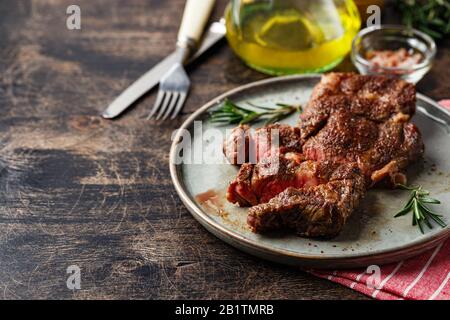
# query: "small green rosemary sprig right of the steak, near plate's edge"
x,y
418,202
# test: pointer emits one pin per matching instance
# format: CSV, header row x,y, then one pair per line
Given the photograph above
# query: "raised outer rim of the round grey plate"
x,y
249,245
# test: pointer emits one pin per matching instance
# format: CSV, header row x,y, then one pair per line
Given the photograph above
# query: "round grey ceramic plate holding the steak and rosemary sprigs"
x,y
371,236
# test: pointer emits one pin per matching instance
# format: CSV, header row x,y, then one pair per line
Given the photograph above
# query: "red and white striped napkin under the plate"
x,y
425,277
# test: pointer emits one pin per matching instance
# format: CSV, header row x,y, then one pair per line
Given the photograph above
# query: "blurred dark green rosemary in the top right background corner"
x,y
429,16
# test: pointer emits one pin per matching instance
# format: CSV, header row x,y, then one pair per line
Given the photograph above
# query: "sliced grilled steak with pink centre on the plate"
x,y
354,134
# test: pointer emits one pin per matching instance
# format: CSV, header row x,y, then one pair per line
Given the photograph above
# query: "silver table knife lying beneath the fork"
x,y
151,78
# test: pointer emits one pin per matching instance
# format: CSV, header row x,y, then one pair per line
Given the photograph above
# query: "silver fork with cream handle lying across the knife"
x,y
175,84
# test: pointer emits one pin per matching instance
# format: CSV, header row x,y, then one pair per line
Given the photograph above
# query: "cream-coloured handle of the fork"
x,y
196,15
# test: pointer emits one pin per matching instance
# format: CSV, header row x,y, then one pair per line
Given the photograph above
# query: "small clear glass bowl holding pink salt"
x,y
392,37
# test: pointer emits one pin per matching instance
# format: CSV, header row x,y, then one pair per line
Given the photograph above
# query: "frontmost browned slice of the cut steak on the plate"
x,y
319,211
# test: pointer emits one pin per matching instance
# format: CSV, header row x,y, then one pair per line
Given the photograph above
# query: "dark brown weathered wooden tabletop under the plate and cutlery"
x,y
79,190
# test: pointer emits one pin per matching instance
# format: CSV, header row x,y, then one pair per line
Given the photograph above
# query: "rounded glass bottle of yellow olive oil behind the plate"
x,y
292,36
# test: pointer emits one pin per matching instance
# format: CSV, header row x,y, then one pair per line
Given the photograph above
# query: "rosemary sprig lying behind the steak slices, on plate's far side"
x,y
230,113
